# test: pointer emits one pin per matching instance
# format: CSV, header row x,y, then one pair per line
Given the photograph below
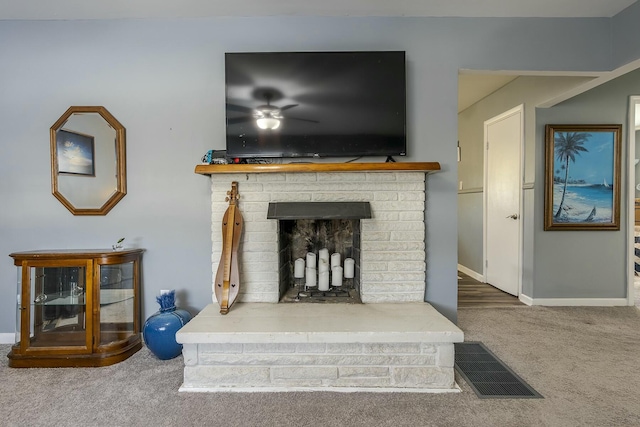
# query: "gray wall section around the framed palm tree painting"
x,y
584,264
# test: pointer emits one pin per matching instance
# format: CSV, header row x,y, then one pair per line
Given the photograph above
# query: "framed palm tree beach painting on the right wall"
x,y
582,177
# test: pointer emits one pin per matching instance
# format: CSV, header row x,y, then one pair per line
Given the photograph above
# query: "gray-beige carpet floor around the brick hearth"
x,y
585,362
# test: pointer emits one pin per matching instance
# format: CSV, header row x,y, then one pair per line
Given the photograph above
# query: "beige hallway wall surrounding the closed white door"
x,y
528,91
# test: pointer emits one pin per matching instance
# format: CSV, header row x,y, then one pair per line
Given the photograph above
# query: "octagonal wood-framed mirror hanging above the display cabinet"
x,y
88,164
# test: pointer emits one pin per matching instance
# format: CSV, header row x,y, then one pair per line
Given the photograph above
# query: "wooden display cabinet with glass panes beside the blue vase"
x,y
77,307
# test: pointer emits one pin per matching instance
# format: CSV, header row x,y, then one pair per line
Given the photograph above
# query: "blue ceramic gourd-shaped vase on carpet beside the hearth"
x,y
159,331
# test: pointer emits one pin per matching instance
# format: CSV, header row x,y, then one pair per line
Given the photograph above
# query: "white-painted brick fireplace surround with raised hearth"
x,y
393,341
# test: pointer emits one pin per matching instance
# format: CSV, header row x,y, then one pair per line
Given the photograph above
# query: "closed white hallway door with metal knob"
x,y
503,177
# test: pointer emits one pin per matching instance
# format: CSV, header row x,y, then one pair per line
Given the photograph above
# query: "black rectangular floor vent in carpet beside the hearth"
x,y
487,375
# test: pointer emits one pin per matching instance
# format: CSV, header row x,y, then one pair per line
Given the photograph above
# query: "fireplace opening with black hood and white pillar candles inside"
x,y
319,250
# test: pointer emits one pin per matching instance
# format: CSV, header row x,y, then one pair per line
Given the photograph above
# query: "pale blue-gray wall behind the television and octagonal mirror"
x,y
163,80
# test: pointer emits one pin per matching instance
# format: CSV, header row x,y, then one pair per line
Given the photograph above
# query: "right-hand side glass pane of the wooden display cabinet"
x,y
117,303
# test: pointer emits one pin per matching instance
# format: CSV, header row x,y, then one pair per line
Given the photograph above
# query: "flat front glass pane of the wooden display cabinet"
x,y
58,307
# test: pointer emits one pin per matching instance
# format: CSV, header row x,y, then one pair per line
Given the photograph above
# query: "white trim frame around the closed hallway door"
x,y
516,110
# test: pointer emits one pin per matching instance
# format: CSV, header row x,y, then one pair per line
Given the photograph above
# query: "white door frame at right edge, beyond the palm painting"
x,y
634,103
